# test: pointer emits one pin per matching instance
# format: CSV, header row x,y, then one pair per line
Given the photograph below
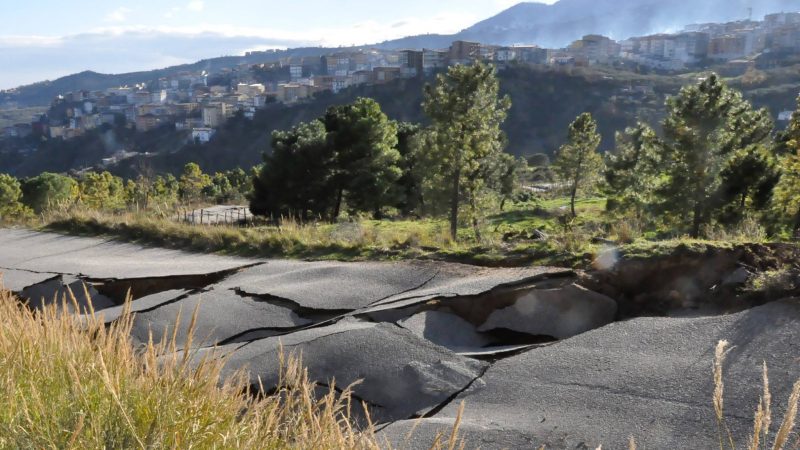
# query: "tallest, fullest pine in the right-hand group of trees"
x,y
709,131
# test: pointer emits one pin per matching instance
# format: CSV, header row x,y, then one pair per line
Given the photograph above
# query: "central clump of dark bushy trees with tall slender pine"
x,y
355,159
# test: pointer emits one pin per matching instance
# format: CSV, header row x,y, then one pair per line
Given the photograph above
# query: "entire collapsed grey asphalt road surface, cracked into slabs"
x,y
420,338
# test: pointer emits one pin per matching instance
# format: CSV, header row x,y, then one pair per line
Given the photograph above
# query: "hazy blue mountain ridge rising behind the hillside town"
x,y
551,26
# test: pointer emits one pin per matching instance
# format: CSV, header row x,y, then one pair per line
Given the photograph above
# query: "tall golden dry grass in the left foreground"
x,y
71,384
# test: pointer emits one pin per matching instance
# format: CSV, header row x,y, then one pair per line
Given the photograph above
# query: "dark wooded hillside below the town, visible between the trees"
x,y
545,101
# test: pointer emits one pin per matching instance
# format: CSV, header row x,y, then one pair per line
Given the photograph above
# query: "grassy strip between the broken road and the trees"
x,y
540,232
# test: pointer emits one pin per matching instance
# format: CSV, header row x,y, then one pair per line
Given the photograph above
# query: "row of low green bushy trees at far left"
x,y
104,191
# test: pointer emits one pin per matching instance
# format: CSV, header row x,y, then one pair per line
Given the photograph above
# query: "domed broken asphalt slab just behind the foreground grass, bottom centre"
x,y
400,374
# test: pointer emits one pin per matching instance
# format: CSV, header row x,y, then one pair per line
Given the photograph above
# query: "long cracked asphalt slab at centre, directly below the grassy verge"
x,y
353,286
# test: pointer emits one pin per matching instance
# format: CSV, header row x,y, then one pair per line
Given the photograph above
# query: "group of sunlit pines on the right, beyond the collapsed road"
x,y
716,161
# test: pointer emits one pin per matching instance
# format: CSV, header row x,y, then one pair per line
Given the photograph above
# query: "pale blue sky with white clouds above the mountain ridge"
x,y
45,39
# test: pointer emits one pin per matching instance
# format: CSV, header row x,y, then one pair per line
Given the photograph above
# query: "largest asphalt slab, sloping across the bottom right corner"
x,y
649,378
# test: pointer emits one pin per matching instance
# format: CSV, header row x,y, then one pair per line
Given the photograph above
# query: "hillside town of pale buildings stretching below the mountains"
x,y
199,104
